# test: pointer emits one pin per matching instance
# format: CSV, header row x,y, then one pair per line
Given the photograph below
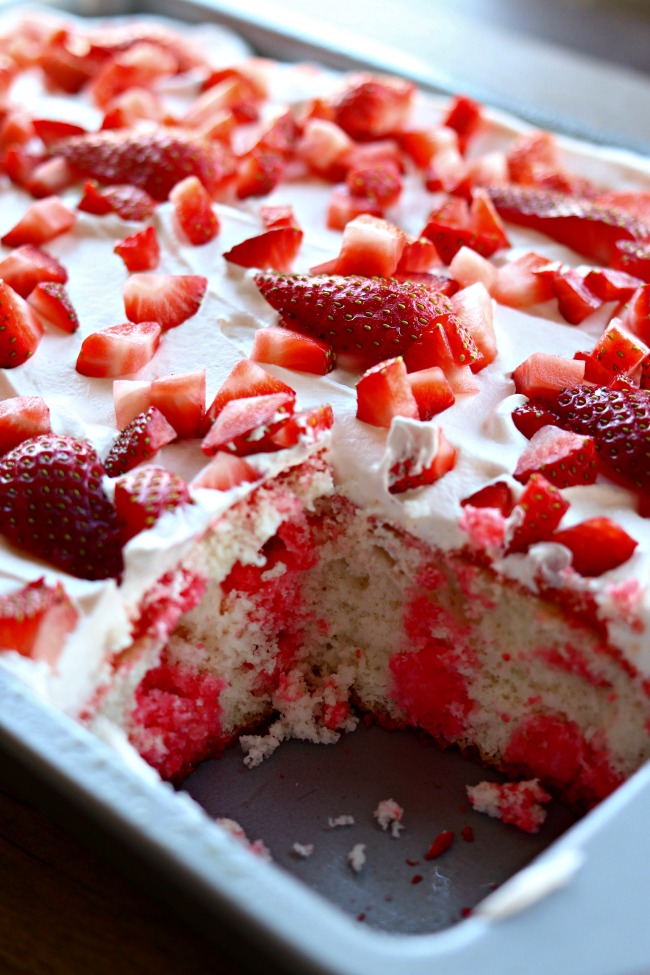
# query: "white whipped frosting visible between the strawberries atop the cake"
x,y
478,425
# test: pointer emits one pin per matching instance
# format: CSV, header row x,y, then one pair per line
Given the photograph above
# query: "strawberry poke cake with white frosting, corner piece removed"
x,y
322,398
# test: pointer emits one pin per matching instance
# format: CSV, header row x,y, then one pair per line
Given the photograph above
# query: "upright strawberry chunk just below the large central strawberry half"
x,y
384,392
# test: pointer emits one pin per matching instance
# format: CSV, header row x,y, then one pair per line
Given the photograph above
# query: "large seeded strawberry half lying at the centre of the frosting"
x,y
372,318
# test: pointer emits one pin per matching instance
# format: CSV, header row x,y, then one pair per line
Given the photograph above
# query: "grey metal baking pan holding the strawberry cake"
x,y
571,899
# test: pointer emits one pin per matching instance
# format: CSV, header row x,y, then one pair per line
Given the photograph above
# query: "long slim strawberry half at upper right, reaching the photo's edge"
x,y
587,228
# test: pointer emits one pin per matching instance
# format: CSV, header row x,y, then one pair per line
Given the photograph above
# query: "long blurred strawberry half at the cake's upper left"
x,y
152,160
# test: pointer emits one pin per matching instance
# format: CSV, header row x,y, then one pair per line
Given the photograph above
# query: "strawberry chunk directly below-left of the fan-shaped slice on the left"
x,y
118,350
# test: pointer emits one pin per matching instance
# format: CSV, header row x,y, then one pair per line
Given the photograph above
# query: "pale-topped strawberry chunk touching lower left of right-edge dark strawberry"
x,y
565,459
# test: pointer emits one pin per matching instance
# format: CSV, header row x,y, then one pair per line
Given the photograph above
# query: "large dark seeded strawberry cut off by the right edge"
x,y
618,420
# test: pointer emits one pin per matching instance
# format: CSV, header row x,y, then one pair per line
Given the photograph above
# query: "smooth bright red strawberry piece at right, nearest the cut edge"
x,y
597,545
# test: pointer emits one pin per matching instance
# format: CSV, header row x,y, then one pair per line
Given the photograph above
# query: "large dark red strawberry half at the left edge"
x,y
53,505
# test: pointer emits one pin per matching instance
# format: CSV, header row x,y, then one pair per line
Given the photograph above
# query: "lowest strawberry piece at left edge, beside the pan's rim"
x,y
36,620
